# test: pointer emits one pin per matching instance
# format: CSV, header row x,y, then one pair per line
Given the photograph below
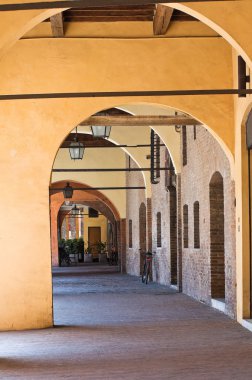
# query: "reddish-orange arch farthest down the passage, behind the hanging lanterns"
x,y
89,197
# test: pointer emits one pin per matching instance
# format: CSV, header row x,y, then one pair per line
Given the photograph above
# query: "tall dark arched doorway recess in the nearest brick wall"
x,y
217,250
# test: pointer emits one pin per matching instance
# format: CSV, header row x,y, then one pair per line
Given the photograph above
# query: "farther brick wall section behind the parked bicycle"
x,y
144,224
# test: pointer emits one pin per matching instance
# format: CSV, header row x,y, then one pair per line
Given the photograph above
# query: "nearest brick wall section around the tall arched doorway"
x,y
204,158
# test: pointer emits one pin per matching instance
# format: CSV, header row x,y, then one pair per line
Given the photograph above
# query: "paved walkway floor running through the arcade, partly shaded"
x,y
113,327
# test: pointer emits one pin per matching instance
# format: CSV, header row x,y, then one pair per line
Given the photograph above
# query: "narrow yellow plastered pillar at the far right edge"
x,y
242,107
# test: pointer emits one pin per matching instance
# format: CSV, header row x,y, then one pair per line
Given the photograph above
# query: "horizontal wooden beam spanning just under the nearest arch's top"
x,y
144,120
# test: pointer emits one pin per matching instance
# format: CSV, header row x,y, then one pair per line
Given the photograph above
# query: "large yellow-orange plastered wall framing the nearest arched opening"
x,y
36,128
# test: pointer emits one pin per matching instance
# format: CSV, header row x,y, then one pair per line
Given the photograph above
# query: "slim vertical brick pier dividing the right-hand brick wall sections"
x,y
179,233
